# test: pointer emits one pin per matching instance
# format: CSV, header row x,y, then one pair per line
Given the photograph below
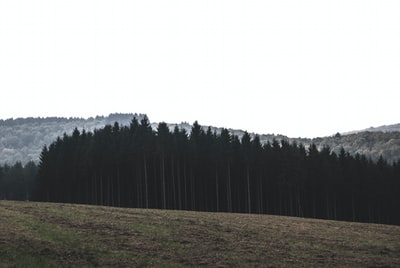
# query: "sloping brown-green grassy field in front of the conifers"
x,y
65,235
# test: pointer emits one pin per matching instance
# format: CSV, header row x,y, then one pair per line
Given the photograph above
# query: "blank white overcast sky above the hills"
x,y
300,68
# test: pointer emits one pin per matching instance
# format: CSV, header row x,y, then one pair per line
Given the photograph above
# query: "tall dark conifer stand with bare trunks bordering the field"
x,y
136,166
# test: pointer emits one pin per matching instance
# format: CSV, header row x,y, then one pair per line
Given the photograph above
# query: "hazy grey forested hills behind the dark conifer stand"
x,y
22,139
